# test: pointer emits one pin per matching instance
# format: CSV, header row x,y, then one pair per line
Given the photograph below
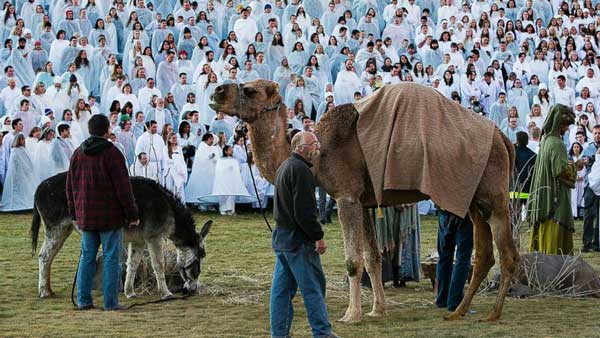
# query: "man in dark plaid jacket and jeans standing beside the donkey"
x,y
101,202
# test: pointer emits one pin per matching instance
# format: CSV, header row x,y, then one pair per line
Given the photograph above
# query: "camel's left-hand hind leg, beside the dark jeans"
x,y
484,260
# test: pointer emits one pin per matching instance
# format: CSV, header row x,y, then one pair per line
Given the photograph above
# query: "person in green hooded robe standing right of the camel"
x,y
550,195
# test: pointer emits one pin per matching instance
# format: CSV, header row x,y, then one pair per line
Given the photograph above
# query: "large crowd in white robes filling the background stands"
x,y
139,61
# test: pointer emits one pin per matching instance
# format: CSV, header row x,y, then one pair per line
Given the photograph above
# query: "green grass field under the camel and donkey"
x,y
237,277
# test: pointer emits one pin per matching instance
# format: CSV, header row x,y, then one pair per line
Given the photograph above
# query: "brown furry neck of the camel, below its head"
x,y
269,143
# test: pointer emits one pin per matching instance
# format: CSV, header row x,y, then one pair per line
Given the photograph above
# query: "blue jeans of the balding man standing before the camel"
x,y
298,269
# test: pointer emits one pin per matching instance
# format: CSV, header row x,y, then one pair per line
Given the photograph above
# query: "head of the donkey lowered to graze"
x,y
189,258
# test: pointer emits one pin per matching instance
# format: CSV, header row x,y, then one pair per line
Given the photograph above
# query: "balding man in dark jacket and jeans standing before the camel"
x,y
298,242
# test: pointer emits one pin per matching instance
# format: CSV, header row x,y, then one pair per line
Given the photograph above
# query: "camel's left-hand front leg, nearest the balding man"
x,y
351,214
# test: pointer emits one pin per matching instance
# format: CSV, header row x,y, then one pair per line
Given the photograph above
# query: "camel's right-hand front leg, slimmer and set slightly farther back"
x,y
373,264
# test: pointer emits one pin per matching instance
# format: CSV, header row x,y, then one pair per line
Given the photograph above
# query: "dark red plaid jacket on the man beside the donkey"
x,y
99,193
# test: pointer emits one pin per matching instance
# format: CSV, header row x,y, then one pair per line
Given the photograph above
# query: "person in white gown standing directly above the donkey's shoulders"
x,y
175,169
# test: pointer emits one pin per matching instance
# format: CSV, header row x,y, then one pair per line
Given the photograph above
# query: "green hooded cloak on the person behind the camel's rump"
x,y
553,176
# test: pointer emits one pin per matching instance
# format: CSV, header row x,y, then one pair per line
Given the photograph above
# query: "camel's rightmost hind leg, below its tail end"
x,y
509,257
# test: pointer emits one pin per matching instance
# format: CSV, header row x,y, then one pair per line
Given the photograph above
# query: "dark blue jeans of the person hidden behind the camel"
x,y
453,231
